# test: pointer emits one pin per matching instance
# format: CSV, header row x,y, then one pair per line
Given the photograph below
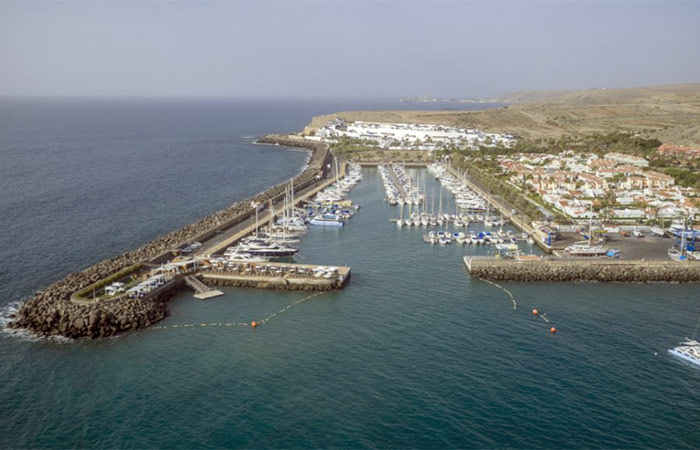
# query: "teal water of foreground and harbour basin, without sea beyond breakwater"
x,y
413,353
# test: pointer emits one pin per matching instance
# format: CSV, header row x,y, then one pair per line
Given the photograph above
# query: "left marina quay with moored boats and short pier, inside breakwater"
x,y
251,255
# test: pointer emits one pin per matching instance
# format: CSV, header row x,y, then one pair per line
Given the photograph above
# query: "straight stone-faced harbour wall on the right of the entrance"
x,y
585,270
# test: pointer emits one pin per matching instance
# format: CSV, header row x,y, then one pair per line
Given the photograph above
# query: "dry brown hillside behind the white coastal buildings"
x,y
669,113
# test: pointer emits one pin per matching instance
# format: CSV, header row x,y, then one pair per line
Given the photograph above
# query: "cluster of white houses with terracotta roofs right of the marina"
x,y
615,187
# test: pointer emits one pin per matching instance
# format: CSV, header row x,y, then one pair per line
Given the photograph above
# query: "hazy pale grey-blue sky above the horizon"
x,y
342,49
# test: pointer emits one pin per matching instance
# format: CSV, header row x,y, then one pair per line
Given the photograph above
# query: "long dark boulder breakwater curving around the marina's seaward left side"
x,y
50,311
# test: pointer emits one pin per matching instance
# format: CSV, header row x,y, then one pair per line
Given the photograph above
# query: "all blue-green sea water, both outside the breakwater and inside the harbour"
x,y
413,353
